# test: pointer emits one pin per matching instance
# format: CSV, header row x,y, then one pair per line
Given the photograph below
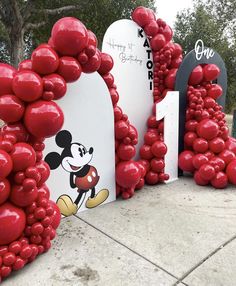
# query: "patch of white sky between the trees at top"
x,y
167,9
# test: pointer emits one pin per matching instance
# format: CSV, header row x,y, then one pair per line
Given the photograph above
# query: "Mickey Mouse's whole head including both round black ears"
x,y
74,156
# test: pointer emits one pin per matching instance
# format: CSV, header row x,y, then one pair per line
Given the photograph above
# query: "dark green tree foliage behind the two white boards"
x,y
97,15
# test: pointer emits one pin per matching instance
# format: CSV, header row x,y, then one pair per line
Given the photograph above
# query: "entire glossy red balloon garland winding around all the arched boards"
x,y
28,219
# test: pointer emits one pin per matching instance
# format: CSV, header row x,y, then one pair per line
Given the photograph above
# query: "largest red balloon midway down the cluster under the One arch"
x,y
207,129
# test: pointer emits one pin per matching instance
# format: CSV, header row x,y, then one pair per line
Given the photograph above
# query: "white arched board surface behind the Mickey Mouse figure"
x,y
89,117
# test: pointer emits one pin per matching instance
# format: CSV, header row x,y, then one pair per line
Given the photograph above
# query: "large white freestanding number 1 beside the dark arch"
x,y
168,109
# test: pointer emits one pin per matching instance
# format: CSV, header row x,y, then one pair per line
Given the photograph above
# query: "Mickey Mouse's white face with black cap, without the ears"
x,y
77,158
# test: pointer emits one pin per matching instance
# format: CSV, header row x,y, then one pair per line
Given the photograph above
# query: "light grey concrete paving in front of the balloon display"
x,y
176,234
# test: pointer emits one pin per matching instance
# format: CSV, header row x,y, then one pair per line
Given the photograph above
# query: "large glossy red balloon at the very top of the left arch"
x,y
69,36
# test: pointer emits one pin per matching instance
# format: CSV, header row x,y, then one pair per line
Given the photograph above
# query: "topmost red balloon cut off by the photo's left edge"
x,y
7,73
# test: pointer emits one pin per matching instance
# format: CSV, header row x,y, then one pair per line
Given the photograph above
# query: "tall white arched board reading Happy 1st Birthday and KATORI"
x,y
129,47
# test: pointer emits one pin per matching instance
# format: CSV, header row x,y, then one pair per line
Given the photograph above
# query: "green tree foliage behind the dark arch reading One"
x,y
213,21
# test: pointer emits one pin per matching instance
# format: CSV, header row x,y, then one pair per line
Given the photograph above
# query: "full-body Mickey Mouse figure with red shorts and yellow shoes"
x,y
75,159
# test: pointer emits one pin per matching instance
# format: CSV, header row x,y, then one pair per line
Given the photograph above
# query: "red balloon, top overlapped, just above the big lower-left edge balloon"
x,y
22,198
